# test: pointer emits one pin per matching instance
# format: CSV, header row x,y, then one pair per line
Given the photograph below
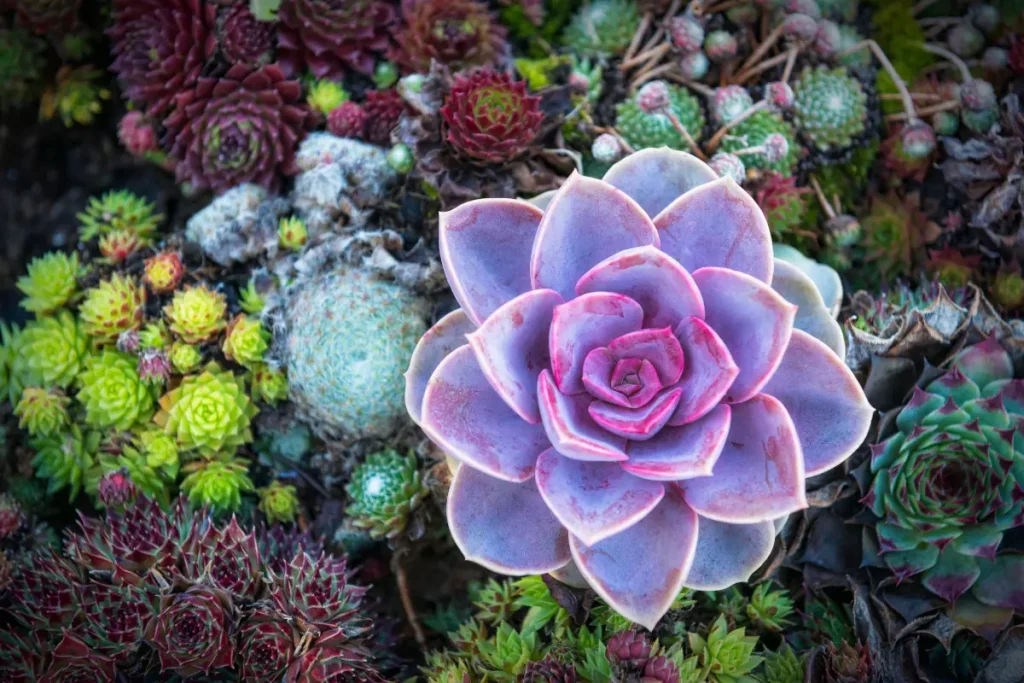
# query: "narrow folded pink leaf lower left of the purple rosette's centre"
x,y
572,432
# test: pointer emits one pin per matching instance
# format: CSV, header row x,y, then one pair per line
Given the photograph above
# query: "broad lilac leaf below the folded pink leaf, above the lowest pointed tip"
x,y
594,501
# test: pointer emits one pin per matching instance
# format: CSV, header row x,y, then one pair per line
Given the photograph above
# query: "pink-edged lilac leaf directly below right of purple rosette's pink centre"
x,y
681,453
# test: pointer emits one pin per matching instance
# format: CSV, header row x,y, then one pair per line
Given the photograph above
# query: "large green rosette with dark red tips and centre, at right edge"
x,y
947,484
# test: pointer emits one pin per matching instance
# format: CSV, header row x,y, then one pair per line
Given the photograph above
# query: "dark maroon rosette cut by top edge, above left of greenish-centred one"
x,y
161,48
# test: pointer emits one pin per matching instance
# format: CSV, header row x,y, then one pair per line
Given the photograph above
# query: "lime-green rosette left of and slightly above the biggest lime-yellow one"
x,y
113,394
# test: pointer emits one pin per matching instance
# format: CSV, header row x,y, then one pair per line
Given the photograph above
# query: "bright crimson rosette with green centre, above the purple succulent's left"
x,y
490,118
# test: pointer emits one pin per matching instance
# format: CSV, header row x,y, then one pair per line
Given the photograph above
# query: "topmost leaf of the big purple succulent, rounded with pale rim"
x,y
656,177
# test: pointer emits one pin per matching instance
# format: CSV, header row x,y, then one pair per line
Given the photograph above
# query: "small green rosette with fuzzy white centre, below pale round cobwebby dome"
x,y
385,491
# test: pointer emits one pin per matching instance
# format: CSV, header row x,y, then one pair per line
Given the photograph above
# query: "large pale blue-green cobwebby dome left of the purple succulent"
x,y
370,328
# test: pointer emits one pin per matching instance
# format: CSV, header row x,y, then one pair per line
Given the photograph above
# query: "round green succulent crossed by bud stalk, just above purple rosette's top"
x,y
655,131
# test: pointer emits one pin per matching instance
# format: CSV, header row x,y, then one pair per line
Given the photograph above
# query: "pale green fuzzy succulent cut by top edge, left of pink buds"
x,y
603,28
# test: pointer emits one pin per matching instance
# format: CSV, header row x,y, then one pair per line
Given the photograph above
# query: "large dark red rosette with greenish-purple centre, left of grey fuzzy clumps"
x,y
243,127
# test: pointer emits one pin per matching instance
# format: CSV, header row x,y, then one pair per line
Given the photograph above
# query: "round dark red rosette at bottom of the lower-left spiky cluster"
x,y
194,631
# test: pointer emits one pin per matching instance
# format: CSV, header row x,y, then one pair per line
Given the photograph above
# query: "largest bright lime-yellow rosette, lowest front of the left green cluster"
x,y
209,413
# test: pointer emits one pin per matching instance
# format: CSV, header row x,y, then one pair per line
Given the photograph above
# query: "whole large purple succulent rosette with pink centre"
x,y
606,405
